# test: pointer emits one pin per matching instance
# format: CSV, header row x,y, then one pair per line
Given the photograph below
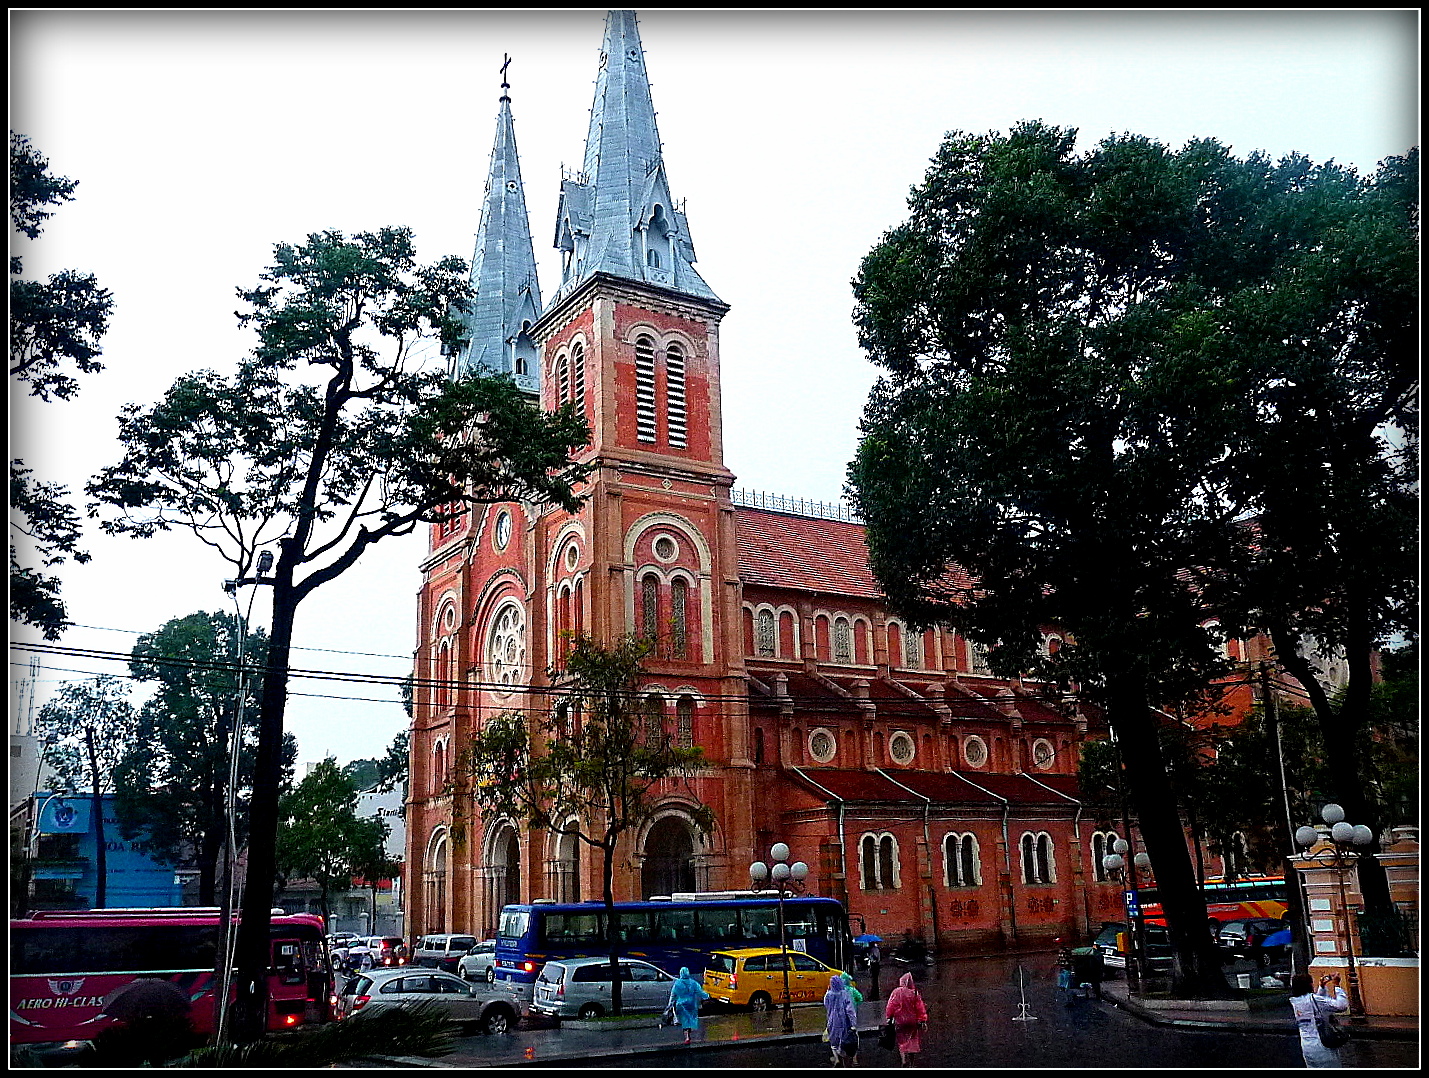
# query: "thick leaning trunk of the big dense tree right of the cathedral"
x,y
1197,959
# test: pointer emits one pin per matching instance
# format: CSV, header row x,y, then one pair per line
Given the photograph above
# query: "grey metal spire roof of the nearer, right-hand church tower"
x,y
617,217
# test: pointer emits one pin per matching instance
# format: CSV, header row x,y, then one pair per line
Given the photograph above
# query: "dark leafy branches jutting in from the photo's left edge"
x,y
54,324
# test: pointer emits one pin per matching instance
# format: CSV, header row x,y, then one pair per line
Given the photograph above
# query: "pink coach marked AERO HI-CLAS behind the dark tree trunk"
x,y
66,964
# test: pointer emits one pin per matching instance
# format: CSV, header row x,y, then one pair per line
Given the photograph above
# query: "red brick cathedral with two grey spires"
x,y
927,796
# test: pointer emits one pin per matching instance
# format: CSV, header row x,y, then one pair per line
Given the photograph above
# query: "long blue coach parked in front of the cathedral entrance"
x,y
669,933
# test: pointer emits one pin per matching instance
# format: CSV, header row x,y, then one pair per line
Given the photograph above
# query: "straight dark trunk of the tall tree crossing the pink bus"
x,y
254,949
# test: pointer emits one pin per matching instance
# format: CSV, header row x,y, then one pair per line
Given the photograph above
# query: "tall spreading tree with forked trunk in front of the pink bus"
x,y
328,440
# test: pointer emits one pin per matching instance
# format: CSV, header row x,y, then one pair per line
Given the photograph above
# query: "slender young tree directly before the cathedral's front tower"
x,y
591,768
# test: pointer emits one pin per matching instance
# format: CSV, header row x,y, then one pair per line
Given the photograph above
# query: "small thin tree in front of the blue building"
x,y
92,723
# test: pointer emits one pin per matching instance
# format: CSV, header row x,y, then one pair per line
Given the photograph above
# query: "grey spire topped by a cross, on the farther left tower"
x,y
504,268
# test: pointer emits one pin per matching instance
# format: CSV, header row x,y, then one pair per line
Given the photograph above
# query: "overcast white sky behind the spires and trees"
x,y
201,139
